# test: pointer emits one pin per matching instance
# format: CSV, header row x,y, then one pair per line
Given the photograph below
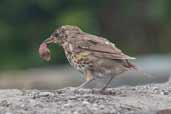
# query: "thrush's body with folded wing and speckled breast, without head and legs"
x,y
95,53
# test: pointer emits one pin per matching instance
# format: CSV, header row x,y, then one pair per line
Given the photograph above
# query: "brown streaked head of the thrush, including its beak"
x,y
62,34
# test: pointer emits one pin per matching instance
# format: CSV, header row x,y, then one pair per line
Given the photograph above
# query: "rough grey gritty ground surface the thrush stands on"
x,y
146,99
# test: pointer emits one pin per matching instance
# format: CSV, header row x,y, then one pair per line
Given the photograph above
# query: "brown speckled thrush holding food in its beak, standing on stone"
x,y
94,56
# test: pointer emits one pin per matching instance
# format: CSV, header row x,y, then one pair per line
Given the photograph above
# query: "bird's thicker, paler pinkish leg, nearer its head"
x,y
89,78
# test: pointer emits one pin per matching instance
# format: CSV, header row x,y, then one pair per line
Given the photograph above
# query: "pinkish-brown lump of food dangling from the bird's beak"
x,y
44,52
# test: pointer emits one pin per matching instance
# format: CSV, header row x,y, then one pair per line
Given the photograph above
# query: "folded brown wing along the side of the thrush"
x,y
100,47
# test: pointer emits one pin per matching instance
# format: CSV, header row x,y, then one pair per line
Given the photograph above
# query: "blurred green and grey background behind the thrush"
x,y
141,28
